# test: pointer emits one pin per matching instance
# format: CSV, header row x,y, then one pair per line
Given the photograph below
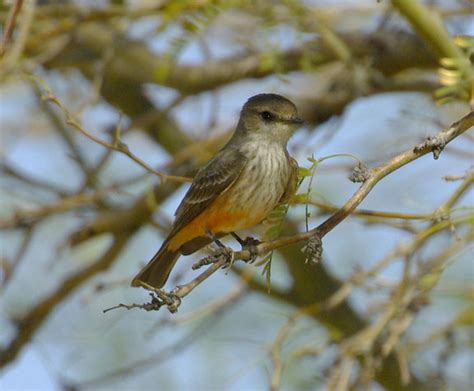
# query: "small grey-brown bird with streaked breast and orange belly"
x,y
236,189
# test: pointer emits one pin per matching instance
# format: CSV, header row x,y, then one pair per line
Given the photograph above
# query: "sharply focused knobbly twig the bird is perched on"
x,y
435,144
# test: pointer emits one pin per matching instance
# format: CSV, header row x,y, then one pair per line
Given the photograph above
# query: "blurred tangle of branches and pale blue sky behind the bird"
x,y
390,304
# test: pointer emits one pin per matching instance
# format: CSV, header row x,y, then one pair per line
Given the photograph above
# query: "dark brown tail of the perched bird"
x,y
157,271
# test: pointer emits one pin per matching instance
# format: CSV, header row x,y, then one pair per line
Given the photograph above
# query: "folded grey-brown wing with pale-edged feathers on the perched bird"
x,y
211,180
